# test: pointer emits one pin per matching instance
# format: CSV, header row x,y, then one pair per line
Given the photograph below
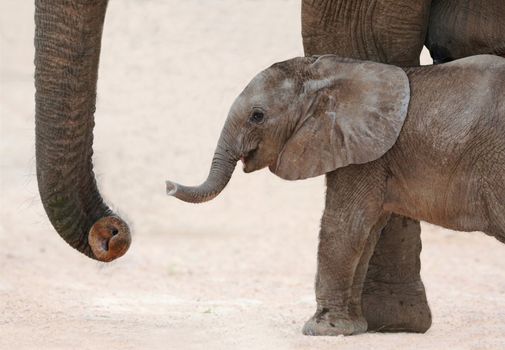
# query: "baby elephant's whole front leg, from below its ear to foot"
x,y
353,209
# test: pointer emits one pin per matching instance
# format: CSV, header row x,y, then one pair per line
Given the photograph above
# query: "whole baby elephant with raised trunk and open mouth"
x,y
426,143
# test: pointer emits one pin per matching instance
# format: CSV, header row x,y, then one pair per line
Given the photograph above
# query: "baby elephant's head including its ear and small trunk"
x,y
305,117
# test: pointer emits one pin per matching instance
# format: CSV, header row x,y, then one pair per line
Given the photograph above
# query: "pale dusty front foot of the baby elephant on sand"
x,y
328,322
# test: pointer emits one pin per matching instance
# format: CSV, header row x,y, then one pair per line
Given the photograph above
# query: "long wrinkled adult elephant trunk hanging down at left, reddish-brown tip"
x,y
67,47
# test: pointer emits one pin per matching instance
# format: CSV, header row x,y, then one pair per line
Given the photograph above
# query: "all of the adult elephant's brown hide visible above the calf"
x,y
394,31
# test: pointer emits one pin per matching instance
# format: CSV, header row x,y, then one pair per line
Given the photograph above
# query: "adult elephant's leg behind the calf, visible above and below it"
x,y
390,32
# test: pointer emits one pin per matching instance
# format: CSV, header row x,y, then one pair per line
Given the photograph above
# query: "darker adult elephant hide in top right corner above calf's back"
x,y
461,28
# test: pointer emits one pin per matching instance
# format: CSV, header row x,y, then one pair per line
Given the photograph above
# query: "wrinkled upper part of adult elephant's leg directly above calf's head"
x,y
378,30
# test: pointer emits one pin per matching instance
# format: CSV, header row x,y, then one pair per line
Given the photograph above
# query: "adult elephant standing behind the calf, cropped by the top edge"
x,y
394,32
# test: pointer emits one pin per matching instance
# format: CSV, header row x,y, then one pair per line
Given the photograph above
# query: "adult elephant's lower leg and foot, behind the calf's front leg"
x,y
394,299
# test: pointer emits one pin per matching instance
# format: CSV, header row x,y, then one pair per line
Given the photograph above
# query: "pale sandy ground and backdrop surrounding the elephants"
x,y
235,273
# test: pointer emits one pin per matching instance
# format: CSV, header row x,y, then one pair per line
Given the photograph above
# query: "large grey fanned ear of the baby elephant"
x,y
352,113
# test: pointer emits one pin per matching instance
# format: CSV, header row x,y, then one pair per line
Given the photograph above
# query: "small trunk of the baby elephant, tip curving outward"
x,y
221,170
